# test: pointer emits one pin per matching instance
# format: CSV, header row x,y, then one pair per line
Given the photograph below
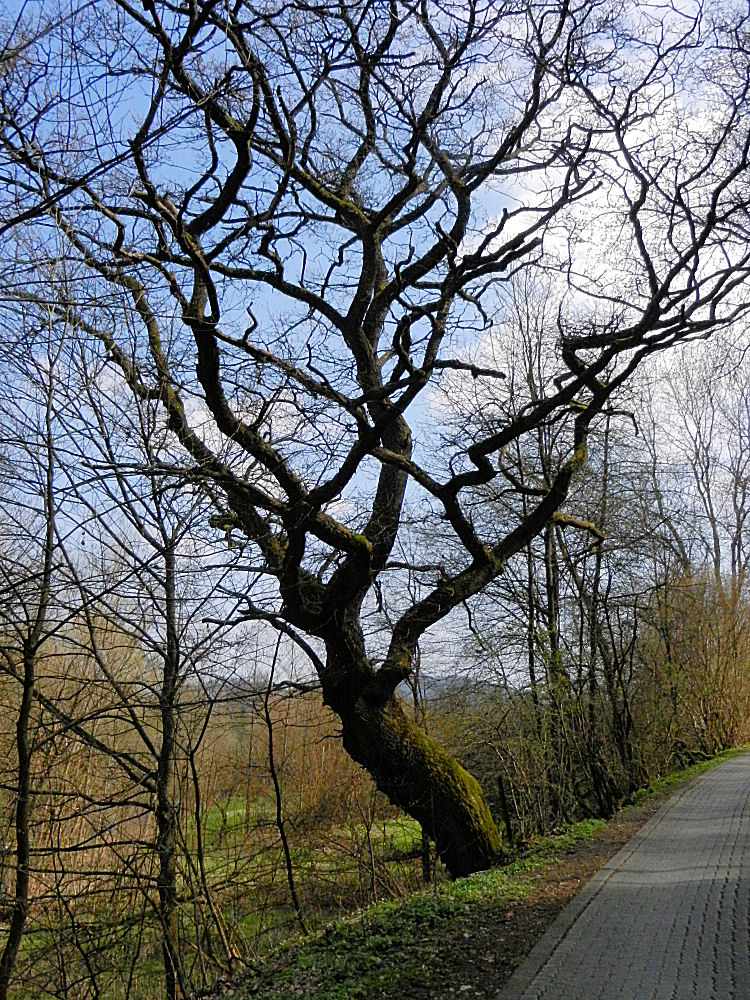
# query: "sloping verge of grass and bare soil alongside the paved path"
x,y
461,938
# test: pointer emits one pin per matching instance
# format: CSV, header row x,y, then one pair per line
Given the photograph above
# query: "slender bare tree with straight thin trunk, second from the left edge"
x,y
165,582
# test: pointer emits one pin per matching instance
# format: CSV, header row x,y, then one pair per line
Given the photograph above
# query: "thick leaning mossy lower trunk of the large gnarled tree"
x,y
417,775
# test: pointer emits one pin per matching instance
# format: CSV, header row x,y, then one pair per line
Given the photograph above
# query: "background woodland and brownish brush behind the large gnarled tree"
x,y
614,649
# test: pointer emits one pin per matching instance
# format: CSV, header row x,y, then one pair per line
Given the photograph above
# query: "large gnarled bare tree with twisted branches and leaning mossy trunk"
x,y
361,180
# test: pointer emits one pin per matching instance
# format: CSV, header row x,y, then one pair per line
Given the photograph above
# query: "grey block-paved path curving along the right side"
x,y
667,918
